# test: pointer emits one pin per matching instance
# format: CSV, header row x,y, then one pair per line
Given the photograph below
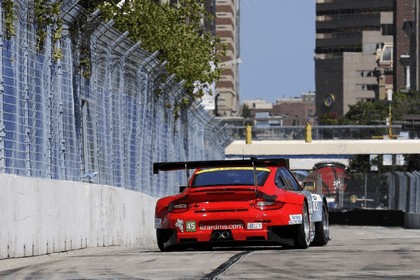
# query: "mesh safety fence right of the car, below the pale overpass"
x,y
373,190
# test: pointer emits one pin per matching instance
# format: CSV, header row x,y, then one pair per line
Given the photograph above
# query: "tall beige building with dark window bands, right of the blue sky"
x,y
354,55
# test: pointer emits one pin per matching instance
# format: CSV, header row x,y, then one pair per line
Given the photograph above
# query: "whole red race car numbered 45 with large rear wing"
x,y
234,202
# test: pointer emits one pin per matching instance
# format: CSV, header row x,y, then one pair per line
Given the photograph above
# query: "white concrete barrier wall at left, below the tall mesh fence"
x,y
39,216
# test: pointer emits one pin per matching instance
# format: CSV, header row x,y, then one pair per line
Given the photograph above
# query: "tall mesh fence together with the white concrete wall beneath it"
x,y
100,110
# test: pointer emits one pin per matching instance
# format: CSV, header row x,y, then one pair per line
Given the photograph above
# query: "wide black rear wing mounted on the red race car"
x,y
252,162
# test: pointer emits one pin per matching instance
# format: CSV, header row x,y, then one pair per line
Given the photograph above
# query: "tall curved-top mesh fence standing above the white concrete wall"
x,y
94,117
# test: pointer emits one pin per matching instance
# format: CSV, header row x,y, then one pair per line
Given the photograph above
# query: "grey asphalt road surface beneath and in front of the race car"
x,y
353,252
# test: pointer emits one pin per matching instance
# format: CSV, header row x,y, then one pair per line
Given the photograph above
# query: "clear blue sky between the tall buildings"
x,y
277,42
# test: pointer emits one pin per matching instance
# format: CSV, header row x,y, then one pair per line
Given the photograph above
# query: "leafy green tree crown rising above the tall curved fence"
x,y
176,32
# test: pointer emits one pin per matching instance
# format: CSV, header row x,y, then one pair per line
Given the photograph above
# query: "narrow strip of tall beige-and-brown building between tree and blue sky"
x,y
227,29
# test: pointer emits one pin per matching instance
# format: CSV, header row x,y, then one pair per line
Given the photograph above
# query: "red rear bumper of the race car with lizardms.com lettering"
x,y
249,226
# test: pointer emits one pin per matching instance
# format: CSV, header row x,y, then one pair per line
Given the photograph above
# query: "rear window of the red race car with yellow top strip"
x,y
230,176
